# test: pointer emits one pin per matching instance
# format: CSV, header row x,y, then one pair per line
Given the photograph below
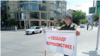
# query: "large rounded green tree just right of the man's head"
x,y
77,16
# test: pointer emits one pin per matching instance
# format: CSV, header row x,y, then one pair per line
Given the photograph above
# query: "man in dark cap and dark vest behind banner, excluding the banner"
x,y
70,26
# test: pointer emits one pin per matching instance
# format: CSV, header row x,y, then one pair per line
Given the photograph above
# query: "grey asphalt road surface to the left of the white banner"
x,y
18,44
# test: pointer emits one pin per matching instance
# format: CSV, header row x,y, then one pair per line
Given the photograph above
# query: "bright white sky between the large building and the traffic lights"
x,y
80,5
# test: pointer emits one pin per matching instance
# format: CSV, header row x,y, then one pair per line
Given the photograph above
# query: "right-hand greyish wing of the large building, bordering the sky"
x,y
57,10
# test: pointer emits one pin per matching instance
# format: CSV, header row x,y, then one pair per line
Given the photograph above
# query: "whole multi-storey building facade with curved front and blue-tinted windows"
x,y
34,12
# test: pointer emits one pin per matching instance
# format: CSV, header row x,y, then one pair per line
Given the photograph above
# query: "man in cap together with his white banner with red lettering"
x,y
63,41
